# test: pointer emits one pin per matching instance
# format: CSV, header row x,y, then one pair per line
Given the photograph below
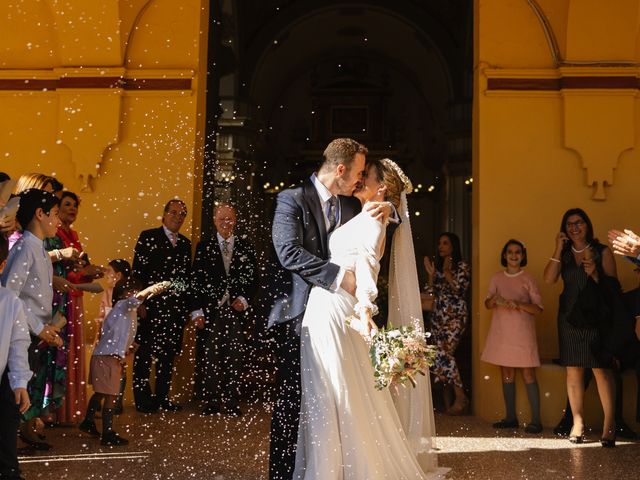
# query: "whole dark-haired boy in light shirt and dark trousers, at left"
x,y
28,274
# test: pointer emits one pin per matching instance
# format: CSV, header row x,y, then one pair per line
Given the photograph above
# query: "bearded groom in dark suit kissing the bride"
x,y
303,219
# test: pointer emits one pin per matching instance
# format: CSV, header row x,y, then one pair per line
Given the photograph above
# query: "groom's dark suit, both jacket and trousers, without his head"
x,y
300,242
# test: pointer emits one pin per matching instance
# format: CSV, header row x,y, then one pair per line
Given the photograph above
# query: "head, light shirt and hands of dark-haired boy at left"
x,y
28,272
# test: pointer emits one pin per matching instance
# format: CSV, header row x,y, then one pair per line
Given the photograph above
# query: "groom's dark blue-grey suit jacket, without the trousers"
x,y
300,240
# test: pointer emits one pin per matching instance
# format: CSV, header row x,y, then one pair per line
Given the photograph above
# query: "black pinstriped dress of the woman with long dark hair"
x,y
576,343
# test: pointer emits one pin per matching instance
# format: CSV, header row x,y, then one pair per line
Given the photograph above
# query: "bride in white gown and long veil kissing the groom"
x,y
348,429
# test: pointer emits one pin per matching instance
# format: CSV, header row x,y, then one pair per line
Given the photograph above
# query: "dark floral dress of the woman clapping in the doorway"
x,y
448,321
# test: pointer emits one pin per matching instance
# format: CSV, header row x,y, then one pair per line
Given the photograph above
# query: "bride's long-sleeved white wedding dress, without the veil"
x,y
348,430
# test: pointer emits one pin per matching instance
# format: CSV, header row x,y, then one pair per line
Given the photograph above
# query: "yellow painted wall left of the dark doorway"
x,y
125,152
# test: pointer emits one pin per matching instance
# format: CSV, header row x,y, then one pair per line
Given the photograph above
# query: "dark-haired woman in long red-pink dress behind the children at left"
x,y
73,409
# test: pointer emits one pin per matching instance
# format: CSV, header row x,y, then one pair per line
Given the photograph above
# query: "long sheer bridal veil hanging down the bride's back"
x,y
414,405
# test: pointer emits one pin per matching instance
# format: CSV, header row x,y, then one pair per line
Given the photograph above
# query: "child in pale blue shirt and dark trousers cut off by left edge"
x,y
14,367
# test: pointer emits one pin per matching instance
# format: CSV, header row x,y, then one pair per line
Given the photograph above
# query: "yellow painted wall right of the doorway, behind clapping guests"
x,y
525,176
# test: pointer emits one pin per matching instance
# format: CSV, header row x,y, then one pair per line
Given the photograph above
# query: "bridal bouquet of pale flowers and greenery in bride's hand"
x,y
398,354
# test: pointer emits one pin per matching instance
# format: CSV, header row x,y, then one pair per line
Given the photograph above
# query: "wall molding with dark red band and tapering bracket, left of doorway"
x,y
89,104
